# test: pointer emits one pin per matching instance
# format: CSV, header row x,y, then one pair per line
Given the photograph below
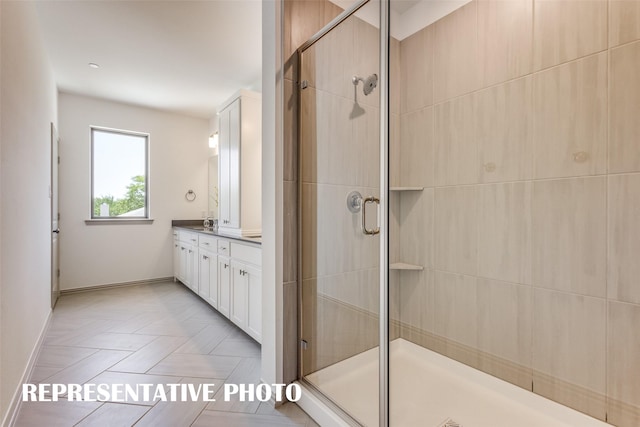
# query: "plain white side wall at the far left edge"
x,y
28,106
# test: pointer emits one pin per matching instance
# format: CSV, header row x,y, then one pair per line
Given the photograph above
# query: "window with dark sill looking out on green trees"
x,y
119,174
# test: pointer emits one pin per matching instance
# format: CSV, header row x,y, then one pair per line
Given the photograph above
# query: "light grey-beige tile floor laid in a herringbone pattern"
x,y
156,334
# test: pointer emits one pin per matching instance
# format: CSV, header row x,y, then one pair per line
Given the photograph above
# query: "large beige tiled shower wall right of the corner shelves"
x,y
520,119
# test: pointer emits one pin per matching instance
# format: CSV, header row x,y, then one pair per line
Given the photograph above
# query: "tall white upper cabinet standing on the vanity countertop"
x,y
240,165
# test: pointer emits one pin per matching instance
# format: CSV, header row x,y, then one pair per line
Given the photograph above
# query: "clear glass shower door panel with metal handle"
x,y
339,194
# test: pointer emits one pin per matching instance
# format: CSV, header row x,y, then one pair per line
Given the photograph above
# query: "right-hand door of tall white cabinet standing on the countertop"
x,y
234,164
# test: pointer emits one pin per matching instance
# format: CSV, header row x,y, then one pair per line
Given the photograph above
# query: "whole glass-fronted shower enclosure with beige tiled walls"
x,y
468,210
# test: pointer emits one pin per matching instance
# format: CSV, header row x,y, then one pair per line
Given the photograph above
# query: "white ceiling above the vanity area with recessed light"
x,y
182,56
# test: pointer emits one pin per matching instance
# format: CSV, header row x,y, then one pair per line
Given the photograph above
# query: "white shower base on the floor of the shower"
x,y
430,390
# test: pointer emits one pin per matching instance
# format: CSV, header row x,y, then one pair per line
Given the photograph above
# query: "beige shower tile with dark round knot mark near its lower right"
x,y
576,90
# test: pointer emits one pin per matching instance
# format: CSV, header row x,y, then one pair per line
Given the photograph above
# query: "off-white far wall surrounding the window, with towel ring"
x,y
92,255
